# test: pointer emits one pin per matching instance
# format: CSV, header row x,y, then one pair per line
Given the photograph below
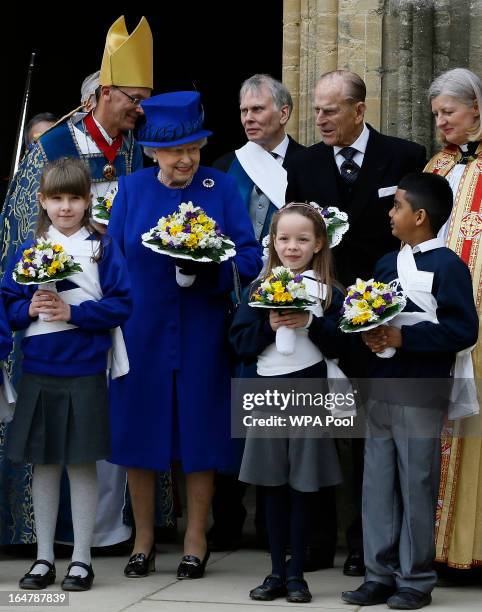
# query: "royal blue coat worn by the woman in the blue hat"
x,y
175,401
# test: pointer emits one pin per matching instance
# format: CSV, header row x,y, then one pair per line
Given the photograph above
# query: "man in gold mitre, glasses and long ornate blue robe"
x,y
103,138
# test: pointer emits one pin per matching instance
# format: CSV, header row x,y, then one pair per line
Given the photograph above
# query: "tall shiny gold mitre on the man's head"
x,y
127,59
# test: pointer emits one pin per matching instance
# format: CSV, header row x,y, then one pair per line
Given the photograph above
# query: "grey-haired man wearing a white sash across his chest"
x,y
259,168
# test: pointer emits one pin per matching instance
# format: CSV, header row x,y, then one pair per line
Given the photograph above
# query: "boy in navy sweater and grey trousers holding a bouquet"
x,y
402,451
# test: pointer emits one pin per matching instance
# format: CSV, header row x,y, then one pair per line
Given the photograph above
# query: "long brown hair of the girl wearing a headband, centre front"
x,y
322,262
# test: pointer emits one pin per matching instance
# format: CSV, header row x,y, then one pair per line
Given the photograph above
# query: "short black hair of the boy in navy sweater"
x,y
430,192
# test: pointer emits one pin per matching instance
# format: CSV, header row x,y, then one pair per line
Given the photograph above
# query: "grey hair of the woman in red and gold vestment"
x,y
463,85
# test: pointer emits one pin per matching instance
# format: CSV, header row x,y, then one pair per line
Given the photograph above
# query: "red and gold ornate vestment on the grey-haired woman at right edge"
x,y
459,509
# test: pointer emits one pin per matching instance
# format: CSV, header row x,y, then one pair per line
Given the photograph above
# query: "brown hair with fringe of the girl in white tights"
x,y
66,175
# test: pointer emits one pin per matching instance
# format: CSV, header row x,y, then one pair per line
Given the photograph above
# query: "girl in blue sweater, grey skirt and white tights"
x,y
61,418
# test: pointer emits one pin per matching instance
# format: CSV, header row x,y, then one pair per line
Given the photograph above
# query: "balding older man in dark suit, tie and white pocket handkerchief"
x,y
357,169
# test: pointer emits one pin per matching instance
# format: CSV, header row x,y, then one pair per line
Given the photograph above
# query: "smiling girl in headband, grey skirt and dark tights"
x,y
292,469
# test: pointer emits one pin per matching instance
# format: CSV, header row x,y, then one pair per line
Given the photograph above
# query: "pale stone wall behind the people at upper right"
x,y
397,46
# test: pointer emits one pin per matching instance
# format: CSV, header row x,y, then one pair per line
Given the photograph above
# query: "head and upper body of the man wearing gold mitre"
x,y
103,137
